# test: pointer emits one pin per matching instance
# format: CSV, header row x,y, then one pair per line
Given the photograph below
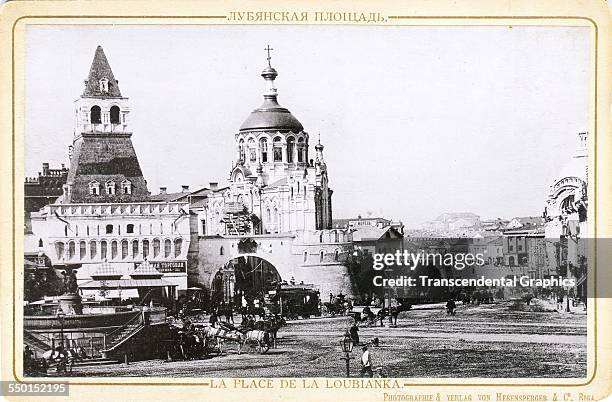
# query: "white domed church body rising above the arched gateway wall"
x,y
272,154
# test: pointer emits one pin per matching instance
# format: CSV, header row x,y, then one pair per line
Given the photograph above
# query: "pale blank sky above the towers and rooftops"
x,y
416,121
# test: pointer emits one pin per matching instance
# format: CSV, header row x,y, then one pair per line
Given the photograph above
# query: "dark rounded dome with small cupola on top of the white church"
x,y
271,116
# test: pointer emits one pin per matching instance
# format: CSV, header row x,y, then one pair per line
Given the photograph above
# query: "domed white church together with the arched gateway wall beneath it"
x,y
278,199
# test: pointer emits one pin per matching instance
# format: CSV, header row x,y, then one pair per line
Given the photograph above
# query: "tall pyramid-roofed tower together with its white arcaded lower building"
x,y
104,219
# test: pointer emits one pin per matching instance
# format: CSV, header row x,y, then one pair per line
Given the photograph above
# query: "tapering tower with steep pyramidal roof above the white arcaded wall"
x,y
103,162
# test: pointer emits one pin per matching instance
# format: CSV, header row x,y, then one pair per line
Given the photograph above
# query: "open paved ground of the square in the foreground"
x,y
480,341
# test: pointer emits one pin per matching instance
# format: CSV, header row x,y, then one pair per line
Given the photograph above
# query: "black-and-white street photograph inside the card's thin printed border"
x,y
377,202
